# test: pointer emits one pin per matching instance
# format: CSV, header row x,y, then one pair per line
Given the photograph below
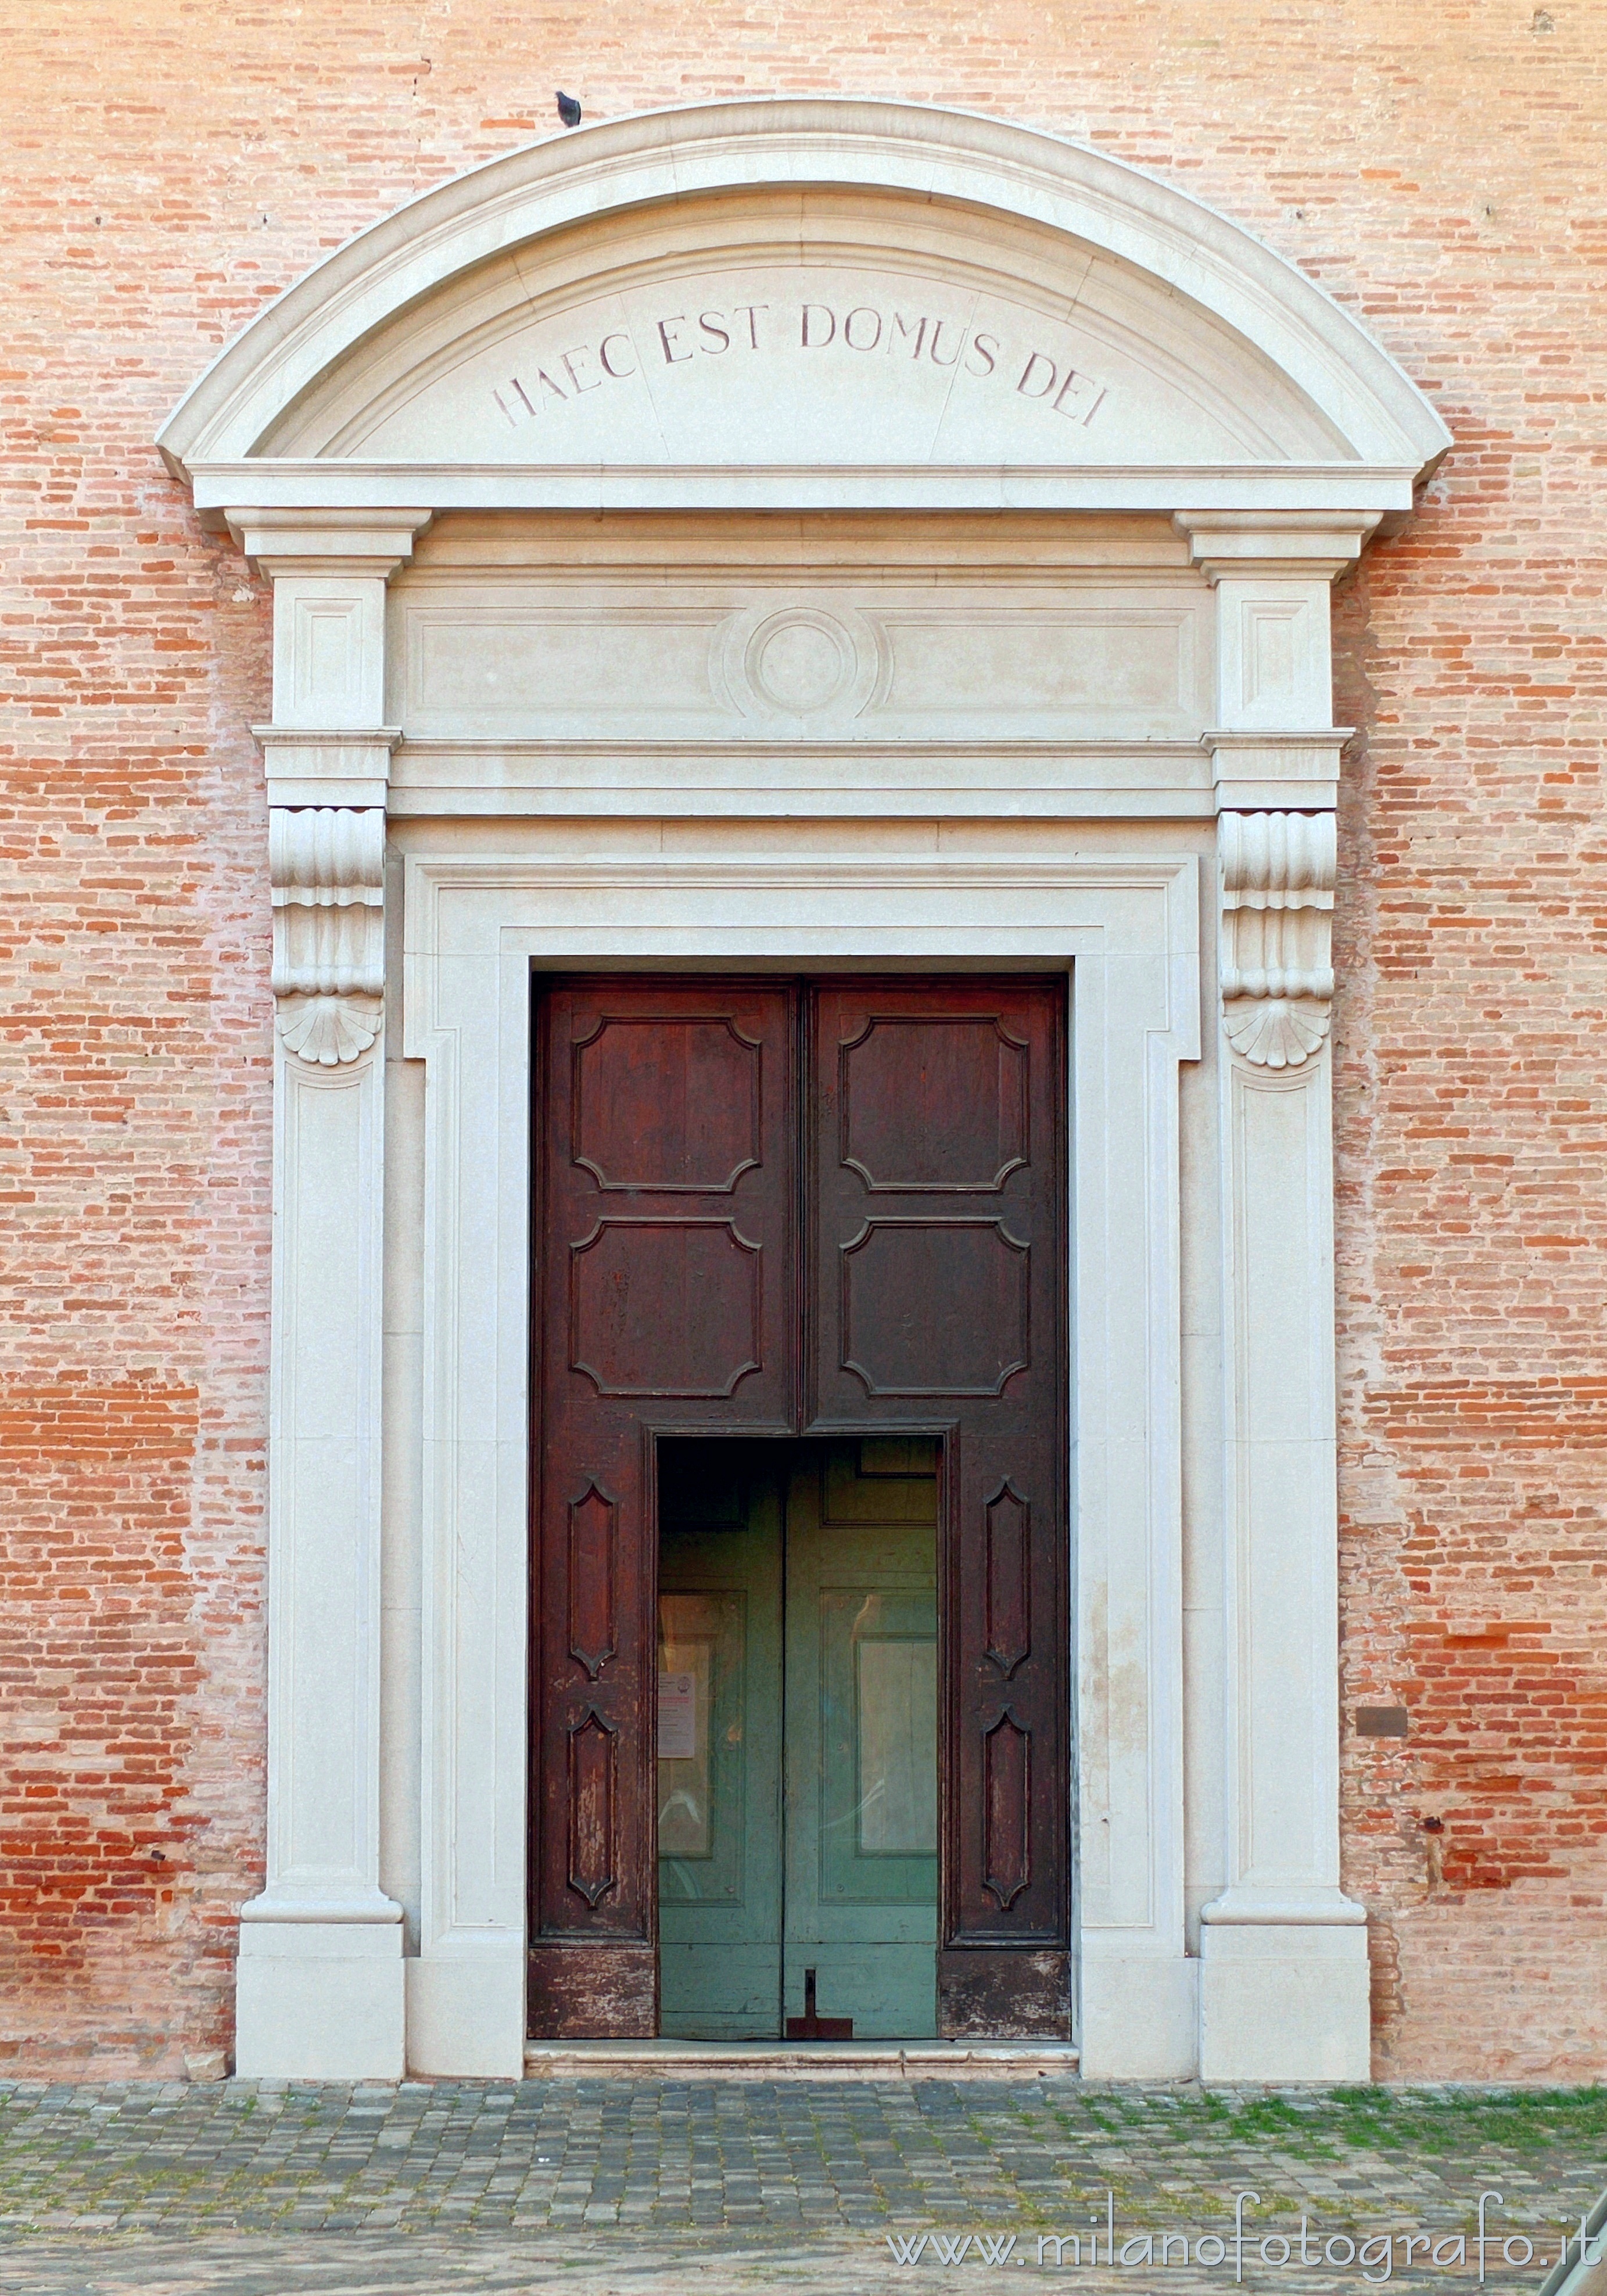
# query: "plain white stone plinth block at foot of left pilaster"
x,y
320,2001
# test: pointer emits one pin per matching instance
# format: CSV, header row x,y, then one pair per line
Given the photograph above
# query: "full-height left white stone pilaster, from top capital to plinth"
x,y
320,1973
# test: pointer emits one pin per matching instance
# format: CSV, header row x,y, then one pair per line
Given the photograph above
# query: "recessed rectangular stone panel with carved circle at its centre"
x,y
802,660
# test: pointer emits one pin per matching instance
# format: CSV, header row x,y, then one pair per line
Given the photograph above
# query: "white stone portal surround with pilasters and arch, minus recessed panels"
x,y
405,943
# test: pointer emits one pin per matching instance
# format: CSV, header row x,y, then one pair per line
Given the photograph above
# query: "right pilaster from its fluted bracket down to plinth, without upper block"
x,y
1284,1976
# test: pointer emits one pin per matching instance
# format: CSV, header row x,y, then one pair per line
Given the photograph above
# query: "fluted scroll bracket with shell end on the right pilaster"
x,y
1278,933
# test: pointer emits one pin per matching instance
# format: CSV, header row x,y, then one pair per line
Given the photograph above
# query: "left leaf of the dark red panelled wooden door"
x,y
665,1298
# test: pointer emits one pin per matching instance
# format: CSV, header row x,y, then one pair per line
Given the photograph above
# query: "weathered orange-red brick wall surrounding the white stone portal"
x,y
169,169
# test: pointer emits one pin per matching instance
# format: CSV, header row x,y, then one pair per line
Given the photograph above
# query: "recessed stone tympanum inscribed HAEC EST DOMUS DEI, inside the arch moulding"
x,y
807,327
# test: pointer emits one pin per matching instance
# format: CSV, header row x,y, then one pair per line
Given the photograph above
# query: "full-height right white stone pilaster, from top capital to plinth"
x,y
1284,1973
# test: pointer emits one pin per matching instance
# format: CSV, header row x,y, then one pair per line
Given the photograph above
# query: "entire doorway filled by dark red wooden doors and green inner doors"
x,y
812,1225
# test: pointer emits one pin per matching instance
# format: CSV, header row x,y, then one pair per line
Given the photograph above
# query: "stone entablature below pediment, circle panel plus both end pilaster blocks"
x,y
899,665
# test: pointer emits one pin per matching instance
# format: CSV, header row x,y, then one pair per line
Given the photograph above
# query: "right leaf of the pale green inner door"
x,y
862,1746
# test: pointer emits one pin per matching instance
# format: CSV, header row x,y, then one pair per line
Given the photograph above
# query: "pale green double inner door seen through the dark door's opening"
x,y
798,1737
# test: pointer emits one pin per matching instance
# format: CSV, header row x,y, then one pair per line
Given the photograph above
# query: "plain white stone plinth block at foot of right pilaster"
x,y
1284,2001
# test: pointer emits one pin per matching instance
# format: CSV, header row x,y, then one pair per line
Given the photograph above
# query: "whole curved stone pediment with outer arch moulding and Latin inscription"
x,y
809,288
